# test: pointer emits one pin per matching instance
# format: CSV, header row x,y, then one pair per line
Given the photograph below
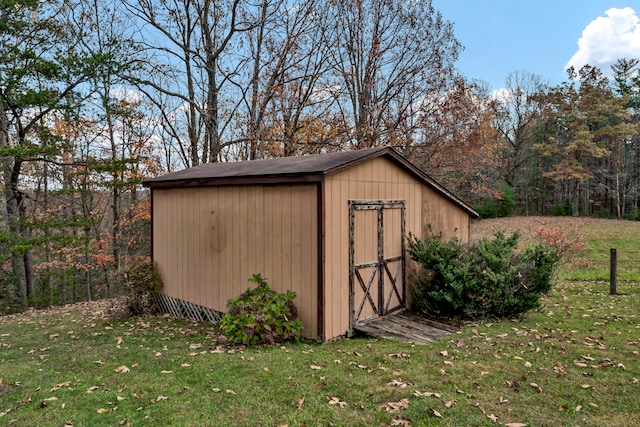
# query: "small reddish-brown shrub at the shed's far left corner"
x,y
140,280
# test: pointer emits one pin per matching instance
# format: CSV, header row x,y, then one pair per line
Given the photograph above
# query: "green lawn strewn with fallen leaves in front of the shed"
x,y
574,362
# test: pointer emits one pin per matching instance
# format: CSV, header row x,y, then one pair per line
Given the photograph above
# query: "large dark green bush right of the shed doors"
x,y
487,279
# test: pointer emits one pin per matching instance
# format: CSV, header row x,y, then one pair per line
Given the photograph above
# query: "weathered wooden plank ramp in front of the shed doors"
x,y
406,326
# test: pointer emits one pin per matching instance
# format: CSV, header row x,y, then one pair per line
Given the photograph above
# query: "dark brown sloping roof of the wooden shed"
x,y
308,168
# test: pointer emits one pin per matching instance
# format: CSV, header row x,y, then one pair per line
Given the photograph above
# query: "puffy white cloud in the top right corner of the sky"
x,y
608,38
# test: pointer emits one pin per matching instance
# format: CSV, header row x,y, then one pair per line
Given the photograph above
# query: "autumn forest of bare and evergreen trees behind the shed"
x,y
96,96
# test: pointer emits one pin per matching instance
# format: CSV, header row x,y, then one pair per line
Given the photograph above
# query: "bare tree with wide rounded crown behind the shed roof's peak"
x,y
389,56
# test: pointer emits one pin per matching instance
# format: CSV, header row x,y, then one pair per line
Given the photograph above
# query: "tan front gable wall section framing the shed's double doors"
x,y
376,179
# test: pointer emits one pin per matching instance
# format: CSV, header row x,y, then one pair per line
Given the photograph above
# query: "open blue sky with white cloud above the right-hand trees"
x,y
543,36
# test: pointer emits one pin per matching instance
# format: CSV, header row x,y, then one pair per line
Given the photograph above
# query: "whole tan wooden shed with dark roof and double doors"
x,y
331,227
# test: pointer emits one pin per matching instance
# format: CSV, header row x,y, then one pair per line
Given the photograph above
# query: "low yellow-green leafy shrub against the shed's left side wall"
x,y
261,316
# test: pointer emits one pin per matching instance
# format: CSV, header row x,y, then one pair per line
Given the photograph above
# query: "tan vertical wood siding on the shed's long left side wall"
x,y
209,241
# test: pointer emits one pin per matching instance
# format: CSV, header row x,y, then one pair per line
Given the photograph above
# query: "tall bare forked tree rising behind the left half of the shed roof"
x,y
190,62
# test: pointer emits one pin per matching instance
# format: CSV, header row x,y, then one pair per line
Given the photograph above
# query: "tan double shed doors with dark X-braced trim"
x,y
376,258
